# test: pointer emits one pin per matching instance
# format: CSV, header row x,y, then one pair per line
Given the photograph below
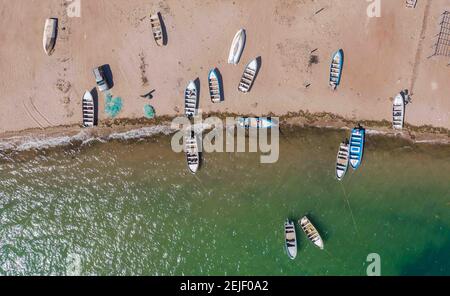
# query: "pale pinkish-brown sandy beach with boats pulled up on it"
x,y
294,38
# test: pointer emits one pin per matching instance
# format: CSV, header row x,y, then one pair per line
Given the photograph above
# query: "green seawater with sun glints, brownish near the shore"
x,y
131,208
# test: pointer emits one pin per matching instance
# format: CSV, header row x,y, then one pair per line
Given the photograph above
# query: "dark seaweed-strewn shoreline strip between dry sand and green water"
x,y
131,129
